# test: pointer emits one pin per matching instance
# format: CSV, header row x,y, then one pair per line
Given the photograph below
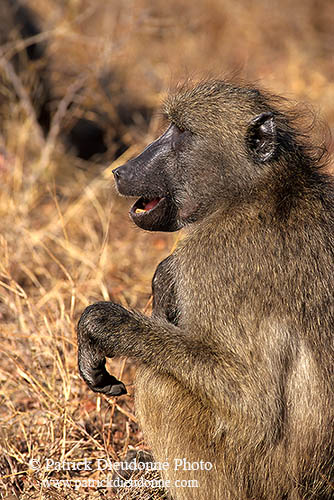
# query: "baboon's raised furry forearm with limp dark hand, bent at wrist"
x,y
109,330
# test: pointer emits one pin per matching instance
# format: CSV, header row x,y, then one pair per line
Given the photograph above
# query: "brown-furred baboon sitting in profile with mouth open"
x,y
236,363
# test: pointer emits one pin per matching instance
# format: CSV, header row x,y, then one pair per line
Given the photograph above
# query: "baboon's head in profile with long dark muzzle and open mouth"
x,y
189,170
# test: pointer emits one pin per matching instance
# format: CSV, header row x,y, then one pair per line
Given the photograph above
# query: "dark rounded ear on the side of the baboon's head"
x,y
262,137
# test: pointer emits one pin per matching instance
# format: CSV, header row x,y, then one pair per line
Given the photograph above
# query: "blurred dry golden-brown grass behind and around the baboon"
x,y
65,238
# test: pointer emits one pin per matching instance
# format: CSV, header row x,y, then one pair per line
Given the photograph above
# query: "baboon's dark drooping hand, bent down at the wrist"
x,y
98,334
